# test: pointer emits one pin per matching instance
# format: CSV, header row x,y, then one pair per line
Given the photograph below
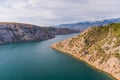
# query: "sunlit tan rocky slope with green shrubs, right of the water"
x,y
98,46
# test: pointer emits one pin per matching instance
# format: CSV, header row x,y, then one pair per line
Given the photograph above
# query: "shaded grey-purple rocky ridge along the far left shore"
x,y
18,32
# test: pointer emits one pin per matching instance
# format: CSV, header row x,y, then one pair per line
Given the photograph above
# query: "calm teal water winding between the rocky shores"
x,y
36,61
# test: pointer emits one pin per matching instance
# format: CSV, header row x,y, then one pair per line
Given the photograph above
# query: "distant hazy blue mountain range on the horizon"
x,y
84,25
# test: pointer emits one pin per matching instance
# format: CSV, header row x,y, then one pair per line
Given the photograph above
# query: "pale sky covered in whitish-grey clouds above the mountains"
x,y
54,12
